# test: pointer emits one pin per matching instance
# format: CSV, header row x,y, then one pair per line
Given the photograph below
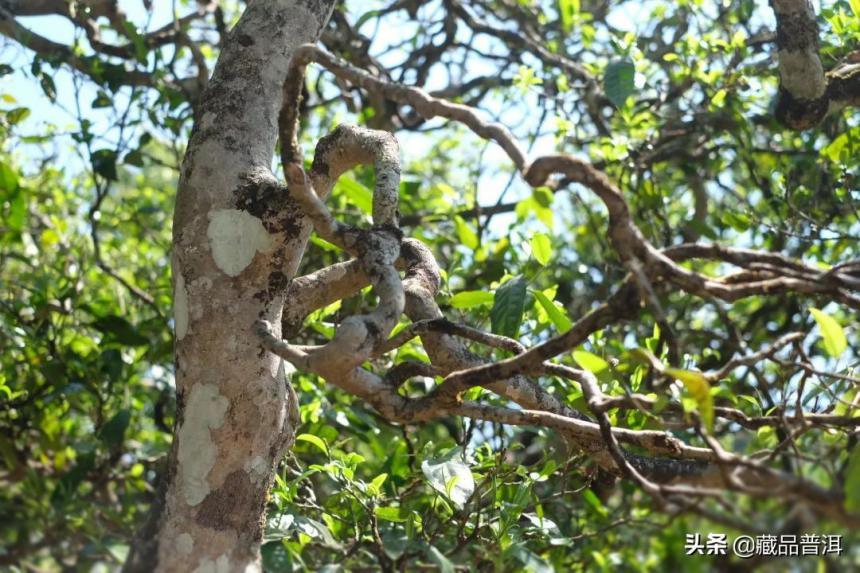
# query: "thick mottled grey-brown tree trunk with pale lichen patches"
x,y
237,241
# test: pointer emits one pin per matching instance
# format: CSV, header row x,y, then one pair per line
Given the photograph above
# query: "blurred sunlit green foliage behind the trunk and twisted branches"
x,y
672,100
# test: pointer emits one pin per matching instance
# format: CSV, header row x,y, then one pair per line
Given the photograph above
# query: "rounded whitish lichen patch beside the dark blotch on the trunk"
x,y
234,238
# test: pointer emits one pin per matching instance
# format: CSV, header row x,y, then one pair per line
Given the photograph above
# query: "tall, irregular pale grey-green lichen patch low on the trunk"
x,y
204,412
